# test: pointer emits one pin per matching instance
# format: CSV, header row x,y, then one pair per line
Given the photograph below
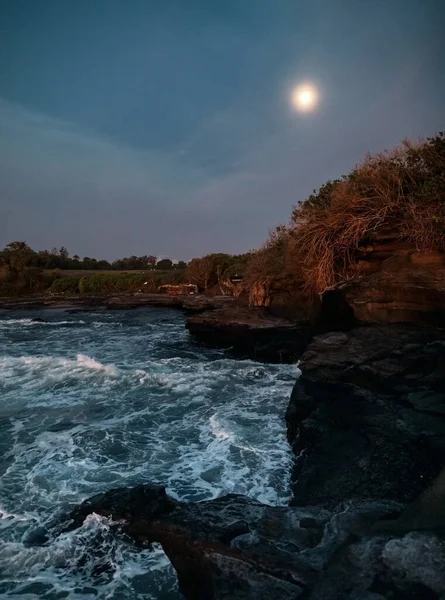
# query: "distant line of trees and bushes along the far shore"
x,y
26,271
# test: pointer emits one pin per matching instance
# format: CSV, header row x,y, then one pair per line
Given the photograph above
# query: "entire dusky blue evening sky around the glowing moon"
x,y
165,126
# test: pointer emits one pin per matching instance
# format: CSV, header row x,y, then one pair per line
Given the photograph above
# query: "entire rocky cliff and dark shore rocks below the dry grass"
x,y
366,421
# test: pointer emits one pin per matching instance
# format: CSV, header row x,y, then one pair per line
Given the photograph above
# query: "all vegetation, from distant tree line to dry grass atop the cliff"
x,y
399,194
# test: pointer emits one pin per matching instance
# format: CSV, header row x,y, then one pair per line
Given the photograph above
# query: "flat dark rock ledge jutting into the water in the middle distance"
x,y
251,332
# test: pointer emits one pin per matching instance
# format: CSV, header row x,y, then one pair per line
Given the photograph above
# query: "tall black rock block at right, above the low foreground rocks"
x,y
366,418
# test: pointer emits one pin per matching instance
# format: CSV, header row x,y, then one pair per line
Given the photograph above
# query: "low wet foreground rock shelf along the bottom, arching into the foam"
x,y
234,548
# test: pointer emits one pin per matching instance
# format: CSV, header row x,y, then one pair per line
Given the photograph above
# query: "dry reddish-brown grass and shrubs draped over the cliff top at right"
x,y
401,192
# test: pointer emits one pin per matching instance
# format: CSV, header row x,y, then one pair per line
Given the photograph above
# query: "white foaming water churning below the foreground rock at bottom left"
x,y
92,558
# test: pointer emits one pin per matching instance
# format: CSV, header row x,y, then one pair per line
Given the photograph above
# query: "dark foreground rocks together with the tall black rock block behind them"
x,y
367,521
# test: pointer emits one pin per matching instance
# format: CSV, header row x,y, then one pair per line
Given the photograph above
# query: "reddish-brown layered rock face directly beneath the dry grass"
x,y
394,282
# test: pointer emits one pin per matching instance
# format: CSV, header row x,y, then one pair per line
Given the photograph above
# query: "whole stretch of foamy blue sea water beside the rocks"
x,y
99,399
